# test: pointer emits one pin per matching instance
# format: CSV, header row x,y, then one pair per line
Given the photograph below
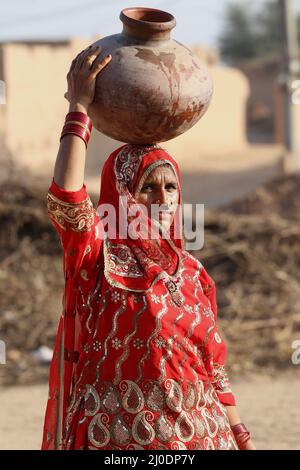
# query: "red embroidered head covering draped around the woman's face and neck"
x,y
133,263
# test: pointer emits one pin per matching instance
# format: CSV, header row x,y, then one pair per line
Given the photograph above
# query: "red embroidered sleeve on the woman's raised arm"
x,y
78,225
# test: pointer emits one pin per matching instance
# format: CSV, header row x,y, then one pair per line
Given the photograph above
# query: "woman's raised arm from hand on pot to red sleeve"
x,y
68,203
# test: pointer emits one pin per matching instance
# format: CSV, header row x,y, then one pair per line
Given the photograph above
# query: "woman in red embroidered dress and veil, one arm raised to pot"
x,y
138,361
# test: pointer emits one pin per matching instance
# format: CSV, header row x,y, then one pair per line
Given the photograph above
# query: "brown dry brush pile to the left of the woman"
x,y
31,282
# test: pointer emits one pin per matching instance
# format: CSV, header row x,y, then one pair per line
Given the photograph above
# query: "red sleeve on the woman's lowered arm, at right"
x,y
216,363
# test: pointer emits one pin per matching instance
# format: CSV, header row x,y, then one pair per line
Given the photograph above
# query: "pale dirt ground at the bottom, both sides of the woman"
x,y
268,405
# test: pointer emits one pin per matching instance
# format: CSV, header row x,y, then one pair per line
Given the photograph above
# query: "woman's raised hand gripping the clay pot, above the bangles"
x,y
82,76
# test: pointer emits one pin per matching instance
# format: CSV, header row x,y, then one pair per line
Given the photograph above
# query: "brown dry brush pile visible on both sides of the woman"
x,y
252,251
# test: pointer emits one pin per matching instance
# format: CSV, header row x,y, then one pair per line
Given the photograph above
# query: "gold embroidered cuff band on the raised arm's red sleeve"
x,y
78,217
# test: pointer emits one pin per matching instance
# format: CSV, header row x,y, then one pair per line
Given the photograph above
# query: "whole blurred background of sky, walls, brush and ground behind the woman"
x,y
242,160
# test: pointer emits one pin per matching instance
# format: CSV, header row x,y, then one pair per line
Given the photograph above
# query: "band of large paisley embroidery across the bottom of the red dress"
x,y
150,416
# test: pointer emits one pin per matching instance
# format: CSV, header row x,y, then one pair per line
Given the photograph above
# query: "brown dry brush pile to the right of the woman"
x,y
252,251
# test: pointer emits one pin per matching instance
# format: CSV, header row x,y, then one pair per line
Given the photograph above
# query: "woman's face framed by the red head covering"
x,y
160,188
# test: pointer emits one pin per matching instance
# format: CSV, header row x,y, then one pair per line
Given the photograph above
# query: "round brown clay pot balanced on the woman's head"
x,y
154,88
